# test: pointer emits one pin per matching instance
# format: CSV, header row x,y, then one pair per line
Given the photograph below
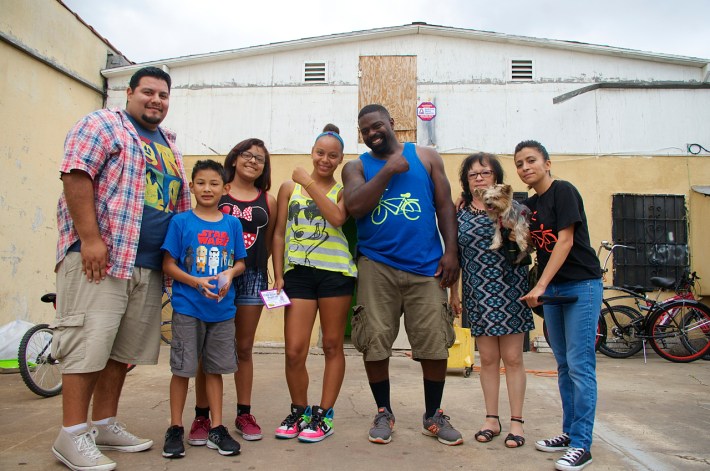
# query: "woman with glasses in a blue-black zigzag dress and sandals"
x,y
491,306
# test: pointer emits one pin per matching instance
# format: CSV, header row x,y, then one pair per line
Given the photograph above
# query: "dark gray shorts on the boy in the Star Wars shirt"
x,y
210,342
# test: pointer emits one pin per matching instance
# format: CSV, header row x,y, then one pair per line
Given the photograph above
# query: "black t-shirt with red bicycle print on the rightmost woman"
x,y
559,207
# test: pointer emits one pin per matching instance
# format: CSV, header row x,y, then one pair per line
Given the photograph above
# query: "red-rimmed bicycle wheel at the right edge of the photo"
x,y
678,331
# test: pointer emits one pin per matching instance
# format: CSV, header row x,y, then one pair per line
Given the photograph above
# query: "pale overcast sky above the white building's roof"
x,y
146,30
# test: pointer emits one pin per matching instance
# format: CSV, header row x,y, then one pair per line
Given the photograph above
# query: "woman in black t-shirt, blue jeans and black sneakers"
x,y
568,267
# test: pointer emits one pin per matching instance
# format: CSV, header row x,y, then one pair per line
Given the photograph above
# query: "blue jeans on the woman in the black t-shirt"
x,y
572,329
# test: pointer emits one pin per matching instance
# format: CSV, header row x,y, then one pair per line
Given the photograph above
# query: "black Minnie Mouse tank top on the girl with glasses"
x,y
254,216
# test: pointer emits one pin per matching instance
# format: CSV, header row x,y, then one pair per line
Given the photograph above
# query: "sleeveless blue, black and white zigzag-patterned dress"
x,y
491,286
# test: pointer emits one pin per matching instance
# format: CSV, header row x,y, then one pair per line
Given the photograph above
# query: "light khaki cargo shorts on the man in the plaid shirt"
x,y
117,318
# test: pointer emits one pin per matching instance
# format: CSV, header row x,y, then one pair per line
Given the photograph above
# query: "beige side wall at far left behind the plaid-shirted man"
x,y
38,105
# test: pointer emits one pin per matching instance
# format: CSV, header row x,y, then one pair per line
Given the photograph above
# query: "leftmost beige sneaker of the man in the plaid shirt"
x,y
78,451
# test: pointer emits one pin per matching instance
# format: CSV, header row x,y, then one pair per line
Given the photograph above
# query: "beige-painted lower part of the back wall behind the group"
x,y
596,177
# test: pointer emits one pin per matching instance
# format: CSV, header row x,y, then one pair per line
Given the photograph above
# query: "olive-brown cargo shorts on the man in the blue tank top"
x,y
384,293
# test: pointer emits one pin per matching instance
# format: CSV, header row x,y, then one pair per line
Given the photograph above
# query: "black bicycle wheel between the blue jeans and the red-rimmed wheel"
x,y
621,332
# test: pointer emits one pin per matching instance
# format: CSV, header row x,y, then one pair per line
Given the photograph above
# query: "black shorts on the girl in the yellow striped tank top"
x,y
303,282
